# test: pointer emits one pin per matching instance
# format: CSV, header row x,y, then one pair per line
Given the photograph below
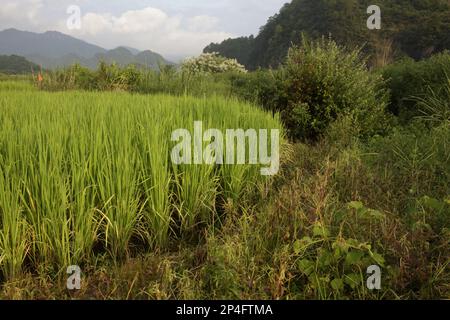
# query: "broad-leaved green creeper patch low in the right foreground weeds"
x,y
334,266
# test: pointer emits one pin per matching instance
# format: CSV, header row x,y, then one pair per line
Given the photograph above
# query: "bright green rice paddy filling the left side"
x,y
84,174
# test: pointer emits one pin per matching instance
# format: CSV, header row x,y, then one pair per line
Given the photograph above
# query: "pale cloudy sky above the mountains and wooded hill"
x,y
174,28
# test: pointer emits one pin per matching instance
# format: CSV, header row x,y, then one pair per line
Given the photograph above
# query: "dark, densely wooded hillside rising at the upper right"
x,y
409,28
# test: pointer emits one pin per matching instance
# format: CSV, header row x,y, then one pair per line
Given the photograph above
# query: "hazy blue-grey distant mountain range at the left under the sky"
x,y
54,49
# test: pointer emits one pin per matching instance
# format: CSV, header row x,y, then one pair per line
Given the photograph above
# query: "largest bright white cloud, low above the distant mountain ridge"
x,y
150,28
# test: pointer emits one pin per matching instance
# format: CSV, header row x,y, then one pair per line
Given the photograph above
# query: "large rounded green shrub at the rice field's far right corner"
x,y
321,82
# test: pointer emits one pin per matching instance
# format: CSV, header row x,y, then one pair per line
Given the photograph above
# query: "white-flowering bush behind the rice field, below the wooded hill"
x,y
211,63
